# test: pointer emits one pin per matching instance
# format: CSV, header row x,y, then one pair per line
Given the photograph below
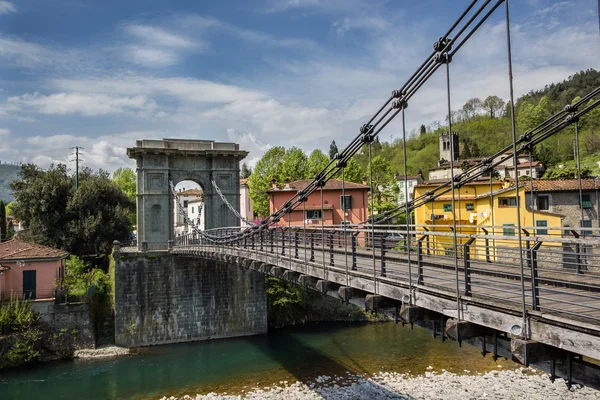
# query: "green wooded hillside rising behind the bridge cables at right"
x,y
484,126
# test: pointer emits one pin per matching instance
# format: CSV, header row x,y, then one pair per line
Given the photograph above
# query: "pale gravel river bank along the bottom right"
x,y
521,383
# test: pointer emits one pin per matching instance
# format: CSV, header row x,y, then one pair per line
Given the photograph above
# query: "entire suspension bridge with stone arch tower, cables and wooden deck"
x,y
532,294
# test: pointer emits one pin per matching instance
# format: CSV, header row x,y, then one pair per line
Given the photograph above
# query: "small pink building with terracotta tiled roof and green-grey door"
x,y
29,270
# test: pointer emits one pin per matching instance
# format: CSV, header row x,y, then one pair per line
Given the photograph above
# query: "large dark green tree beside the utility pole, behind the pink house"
x,y
83,221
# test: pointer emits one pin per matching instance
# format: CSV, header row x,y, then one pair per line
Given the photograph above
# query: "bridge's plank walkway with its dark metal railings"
x,y
561,275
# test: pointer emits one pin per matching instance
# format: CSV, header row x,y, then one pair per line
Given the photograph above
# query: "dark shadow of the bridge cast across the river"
x,y
306,362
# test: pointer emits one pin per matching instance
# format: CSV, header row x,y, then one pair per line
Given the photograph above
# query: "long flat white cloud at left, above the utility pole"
x,y
80,103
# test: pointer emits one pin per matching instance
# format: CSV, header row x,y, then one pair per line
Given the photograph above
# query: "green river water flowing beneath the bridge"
x,y
239,364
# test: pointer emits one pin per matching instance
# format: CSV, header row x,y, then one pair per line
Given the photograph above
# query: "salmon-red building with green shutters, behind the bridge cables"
x,y
354,204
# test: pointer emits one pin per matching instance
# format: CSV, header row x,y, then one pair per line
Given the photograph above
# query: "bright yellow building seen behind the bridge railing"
x,y
481,208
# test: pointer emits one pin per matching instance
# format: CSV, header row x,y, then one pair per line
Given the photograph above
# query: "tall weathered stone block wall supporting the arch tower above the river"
x,y
161,298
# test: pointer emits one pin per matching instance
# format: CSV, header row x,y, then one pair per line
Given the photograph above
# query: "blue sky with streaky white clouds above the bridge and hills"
x,y
101,74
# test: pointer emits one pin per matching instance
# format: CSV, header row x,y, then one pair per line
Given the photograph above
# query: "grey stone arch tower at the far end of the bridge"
x,y
176,160
